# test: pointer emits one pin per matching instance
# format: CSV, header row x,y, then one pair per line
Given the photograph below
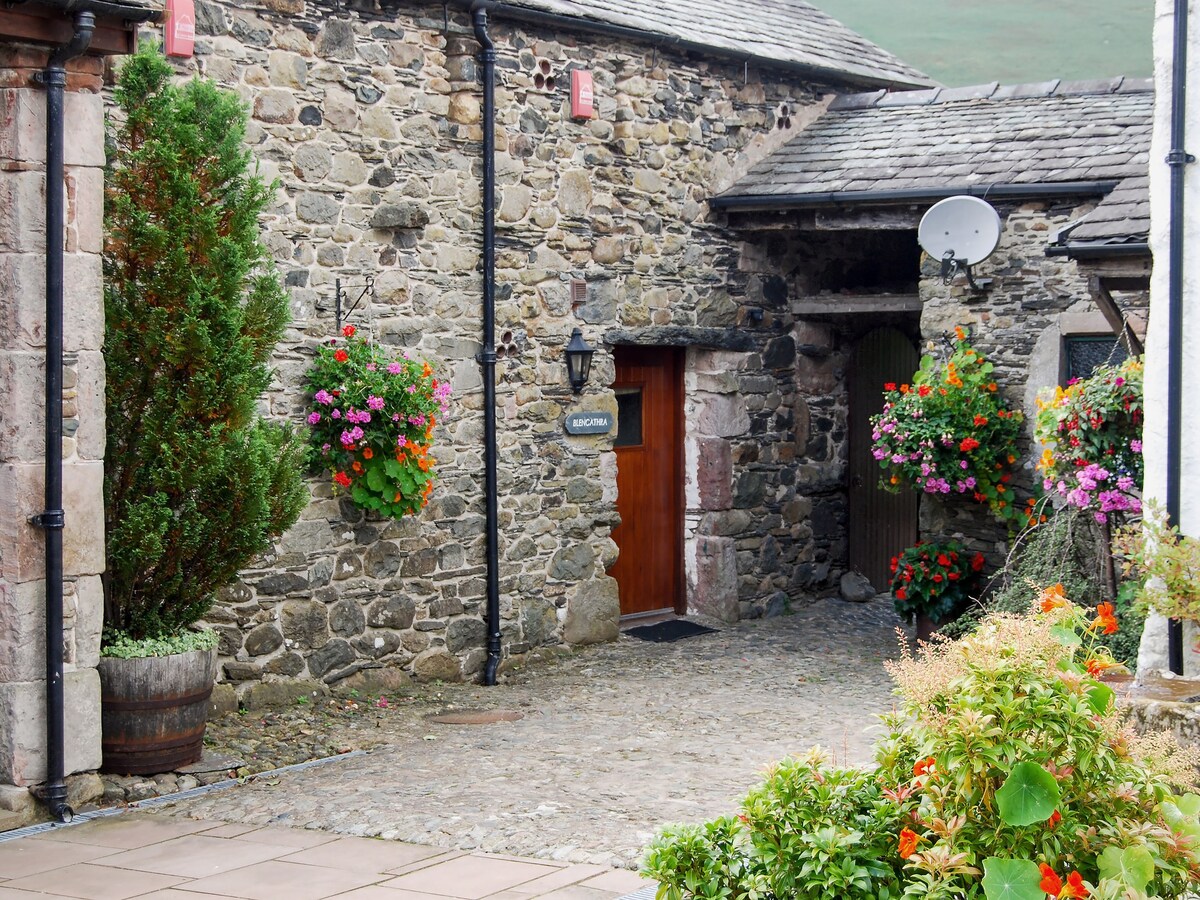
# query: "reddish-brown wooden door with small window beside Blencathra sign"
x,y
650,479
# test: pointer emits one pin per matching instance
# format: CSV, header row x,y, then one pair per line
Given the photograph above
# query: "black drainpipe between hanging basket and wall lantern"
x,y
488,358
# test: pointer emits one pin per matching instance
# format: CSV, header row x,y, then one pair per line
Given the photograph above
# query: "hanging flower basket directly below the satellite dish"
x,y
950,433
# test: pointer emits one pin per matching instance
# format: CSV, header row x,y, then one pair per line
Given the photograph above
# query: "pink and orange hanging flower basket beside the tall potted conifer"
x,y
371,421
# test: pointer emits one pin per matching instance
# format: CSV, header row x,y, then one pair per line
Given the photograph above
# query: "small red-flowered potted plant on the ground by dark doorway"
x,y
933,579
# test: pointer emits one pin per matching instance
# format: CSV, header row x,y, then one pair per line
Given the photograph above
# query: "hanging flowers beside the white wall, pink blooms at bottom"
x,y
1093,433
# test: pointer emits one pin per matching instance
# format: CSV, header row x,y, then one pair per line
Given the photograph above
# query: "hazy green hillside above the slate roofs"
x,y
1009,41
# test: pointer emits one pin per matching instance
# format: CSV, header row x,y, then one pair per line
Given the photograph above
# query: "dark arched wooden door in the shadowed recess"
x,y
881,524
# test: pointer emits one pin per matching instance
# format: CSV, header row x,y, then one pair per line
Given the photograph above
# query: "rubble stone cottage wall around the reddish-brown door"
x,y
371,123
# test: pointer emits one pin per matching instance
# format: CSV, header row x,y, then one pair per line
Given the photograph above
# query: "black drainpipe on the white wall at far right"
x,y
1178,159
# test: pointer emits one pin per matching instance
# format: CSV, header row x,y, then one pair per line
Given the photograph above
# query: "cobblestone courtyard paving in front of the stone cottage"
x,y
615,741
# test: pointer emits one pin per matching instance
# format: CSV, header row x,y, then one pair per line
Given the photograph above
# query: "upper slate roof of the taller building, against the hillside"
x,y
789,33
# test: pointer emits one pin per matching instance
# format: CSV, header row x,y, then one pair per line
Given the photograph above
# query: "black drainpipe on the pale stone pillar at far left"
x,y
52,519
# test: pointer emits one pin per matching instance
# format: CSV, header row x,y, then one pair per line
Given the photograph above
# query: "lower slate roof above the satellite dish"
x,y
959,140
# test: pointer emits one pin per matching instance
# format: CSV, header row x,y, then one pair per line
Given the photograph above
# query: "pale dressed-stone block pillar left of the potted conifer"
x,y
22,428
